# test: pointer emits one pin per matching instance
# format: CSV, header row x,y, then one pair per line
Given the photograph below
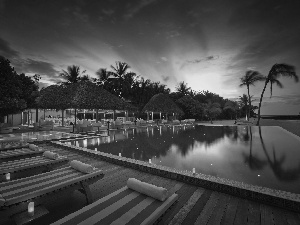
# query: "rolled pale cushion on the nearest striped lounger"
x,y
151,190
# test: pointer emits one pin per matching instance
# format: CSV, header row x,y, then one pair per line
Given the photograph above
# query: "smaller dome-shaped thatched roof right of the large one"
x,y
162,103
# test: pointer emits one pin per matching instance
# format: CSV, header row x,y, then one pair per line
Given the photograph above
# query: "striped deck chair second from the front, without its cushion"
x,y
37,187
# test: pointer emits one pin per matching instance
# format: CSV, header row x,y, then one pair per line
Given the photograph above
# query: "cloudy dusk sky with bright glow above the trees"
x,y
208,44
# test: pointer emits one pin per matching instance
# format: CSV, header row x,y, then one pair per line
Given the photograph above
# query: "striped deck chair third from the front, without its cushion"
x,y
22,167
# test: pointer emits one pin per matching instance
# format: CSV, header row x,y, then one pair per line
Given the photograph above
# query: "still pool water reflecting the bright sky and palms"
x,y
263,156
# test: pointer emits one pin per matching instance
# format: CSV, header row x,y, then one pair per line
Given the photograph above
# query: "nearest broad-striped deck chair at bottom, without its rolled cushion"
x,y
124,206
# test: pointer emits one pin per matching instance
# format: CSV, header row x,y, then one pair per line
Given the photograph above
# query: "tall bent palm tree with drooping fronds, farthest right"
x,y
276,71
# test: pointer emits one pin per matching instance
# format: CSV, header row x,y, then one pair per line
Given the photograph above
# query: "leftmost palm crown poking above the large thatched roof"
x,y
73,75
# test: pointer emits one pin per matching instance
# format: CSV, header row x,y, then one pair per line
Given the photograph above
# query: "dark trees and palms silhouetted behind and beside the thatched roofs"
x,y
19,92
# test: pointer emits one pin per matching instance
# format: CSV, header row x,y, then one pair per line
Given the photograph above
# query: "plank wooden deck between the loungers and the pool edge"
x,y
195,205
